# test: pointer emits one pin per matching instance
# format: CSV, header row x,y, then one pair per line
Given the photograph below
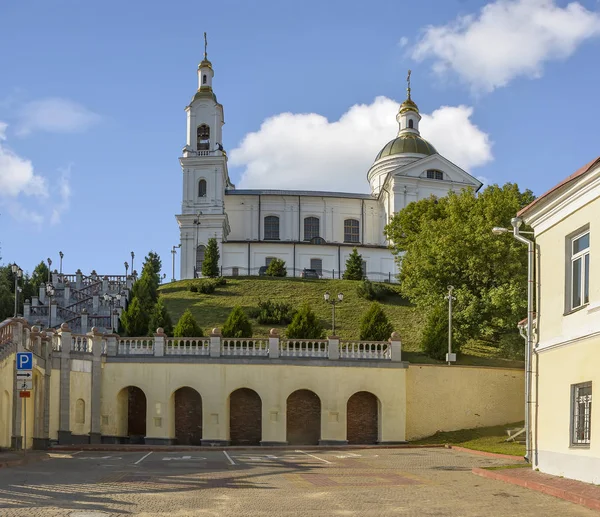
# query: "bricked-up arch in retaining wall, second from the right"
x,y
303,416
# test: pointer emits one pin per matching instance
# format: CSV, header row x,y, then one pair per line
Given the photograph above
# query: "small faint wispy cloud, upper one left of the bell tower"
x,y
54,115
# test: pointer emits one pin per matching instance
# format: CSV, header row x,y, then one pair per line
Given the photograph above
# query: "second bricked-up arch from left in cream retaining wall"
x,y
187,407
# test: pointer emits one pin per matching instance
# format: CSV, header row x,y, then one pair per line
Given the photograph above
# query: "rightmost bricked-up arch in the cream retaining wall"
x,y
362,418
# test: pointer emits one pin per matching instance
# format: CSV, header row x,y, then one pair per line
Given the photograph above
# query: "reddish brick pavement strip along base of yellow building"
x,y
576,492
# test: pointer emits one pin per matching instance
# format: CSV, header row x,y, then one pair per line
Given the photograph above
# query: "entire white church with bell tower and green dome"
x,y
309,230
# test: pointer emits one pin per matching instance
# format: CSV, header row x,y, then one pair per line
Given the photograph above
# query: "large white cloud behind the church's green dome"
x,y
306,151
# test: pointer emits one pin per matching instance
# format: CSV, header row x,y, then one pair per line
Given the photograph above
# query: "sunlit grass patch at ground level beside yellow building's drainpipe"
x,y
488,439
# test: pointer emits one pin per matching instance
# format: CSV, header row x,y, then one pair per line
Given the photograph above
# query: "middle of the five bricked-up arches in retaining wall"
x,y
245,417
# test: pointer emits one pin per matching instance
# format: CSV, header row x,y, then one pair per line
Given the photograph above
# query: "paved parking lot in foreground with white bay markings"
x,y
370,482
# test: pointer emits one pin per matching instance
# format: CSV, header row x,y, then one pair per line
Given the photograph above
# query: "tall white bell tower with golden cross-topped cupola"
x,y
204,173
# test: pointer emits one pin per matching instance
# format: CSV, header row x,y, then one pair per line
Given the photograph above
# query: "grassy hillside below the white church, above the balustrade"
x,y
211,310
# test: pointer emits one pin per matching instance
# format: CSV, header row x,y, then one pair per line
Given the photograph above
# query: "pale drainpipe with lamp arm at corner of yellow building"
x,y
516,223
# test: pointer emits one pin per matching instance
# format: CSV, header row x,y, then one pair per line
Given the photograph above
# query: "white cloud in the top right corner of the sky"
x,y
508,39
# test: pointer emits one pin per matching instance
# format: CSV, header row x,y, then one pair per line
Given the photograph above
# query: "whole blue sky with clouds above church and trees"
x,y
92,99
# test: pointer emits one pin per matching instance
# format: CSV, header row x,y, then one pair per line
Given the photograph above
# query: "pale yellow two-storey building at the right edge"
x,y
566,357
